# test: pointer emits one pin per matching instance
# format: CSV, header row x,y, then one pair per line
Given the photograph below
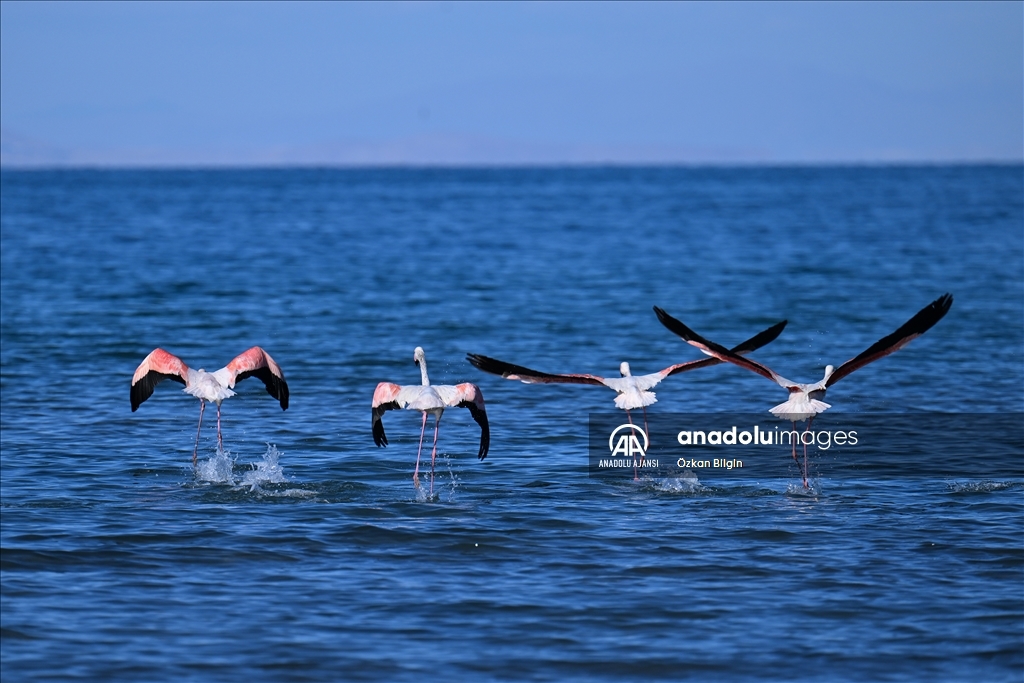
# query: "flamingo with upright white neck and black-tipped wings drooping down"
x,y
430,400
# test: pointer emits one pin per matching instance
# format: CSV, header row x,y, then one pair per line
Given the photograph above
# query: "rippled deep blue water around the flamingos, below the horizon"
x,y
304,552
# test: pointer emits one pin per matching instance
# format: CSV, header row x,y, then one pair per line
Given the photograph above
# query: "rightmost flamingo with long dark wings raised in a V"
x,y
806,400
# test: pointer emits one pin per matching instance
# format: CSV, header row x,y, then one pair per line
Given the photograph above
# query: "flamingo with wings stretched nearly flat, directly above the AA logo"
x,y
632,392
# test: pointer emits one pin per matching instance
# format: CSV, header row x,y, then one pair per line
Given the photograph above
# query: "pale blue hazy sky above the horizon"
x,y
494,83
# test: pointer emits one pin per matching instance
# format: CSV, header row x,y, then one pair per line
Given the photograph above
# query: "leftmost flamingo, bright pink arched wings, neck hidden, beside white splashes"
x,y
160,366
